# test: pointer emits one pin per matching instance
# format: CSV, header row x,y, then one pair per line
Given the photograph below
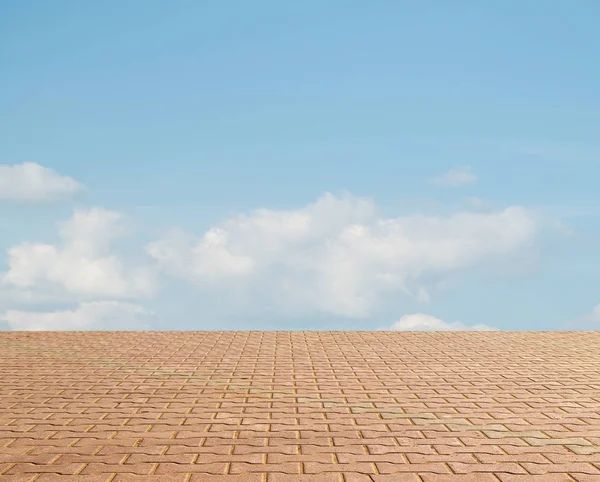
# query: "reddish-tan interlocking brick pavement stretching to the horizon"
x,y
299,406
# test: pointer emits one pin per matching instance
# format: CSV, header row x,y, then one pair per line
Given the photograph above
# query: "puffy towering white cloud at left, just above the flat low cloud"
x,y
81,264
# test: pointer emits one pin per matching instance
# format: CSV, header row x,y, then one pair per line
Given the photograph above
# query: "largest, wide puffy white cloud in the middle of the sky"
x,y
338,256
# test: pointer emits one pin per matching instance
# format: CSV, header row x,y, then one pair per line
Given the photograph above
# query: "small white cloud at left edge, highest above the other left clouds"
x,y
30,182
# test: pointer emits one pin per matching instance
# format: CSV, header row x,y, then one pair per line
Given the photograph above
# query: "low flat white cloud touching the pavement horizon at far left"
x,y
96,315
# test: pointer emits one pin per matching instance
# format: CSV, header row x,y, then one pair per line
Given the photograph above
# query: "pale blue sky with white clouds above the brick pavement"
x,y
267,165
